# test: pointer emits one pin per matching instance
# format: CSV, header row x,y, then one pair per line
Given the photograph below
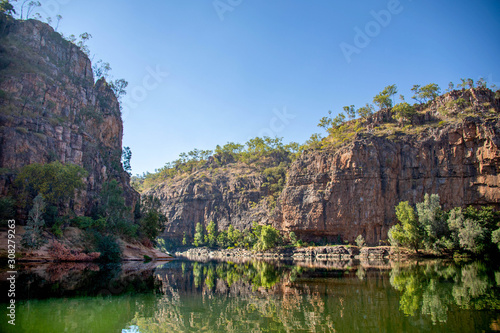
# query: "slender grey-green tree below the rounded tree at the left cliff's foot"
x,y
32,237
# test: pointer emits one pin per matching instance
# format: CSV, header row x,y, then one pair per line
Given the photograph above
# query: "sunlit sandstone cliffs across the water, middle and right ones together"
x,y
351,188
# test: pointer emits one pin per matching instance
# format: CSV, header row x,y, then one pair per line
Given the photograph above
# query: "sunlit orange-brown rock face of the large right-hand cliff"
x,y
352,191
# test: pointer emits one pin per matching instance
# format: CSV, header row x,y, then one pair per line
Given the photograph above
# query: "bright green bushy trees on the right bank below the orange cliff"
x,y
458,231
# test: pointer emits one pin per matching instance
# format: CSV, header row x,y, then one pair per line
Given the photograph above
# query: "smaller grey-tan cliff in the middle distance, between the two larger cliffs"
x,y
227,196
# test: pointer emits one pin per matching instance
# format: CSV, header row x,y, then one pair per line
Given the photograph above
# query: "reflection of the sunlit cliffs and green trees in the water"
x,y
261,296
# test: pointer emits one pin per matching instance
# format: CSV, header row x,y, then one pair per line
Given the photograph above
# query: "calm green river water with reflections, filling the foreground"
x,y
183,296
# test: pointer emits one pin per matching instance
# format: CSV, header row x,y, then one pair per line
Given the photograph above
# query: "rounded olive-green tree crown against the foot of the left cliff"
x,y
55,181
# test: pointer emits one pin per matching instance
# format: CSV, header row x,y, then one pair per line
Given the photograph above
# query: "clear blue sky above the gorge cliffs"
x,y
229,70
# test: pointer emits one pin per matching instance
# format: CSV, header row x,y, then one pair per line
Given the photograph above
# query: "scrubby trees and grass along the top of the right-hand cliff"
x,y
411,118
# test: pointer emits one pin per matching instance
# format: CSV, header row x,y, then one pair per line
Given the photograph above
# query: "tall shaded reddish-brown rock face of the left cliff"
x,y
52,110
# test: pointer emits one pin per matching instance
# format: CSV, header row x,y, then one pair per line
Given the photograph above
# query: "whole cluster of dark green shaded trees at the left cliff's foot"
x,y
49,190
